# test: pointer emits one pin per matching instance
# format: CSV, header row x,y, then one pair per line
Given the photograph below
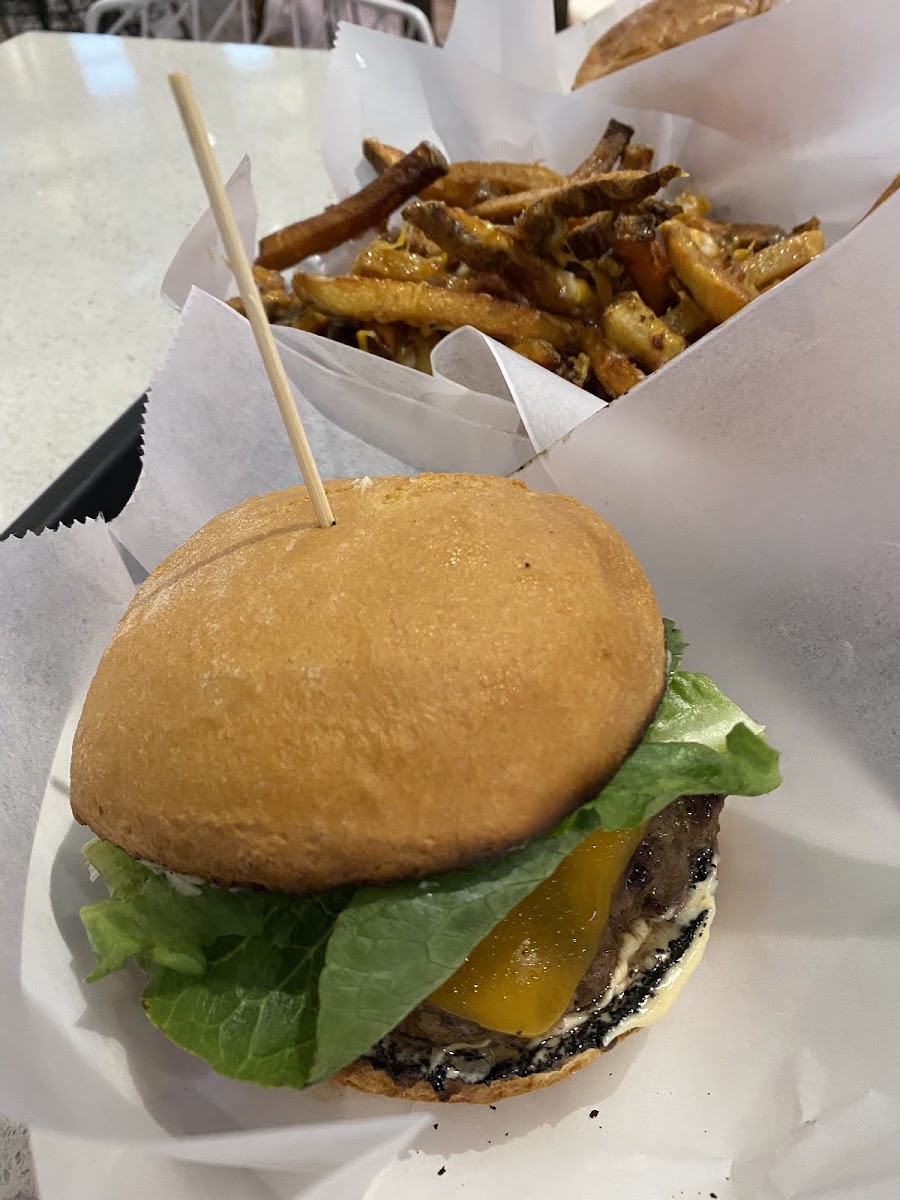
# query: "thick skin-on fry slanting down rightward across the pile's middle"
x,y
488,248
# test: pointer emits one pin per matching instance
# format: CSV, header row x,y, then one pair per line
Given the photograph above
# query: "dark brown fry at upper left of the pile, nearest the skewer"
x,y
356,214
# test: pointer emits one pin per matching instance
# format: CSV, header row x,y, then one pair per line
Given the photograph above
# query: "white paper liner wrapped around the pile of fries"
x,y
815,139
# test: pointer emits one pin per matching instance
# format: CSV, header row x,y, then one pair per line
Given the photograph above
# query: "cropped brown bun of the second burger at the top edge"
x,y
661,26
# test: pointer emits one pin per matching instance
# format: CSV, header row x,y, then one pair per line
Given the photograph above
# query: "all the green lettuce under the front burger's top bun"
x,y
285,991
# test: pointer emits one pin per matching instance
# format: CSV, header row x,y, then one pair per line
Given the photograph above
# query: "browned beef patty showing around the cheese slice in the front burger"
x,y
677,850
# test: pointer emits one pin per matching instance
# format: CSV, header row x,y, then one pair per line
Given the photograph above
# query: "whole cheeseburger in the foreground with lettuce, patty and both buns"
x,y
422,803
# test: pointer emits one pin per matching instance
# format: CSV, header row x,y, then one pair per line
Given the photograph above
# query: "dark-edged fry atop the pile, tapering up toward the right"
x,y
543,223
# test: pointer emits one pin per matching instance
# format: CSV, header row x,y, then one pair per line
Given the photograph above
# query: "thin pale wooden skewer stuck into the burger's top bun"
x,y
249,292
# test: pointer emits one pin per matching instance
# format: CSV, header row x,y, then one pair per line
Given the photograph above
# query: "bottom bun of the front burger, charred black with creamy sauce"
x,y
656,962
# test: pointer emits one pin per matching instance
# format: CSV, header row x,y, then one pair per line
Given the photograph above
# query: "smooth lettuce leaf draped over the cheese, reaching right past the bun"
x,y
392,947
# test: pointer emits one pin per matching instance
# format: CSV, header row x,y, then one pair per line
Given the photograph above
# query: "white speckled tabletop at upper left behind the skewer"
x,y
98,189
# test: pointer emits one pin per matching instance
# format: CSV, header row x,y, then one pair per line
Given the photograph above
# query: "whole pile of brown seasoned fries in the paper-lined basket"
x,y
598,277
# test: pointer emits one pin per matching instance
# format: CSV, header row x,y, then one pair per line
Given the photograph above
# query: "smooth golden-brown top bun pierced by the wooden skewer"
x,y
443,675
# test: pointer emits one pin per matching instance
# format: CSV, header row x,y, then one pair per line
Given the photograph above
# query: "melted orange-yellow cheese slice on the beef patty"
x,y
521,979
